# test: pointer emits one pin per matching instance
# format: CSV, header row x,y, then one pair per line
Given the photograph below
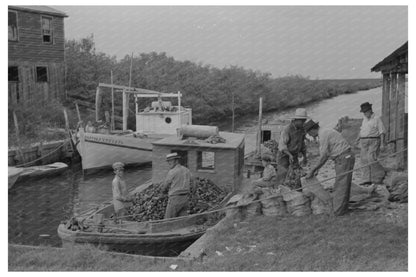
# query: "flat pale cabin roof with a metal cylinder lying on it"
x,y
233,141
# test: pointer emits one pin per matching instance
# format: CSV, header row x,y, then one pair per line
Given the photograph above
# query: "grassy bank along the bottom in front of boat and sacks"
x,y
360,241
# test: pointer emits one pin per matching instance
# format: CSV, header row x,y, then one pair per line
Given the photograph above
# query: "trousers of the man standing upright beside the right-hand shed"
x,y
370,149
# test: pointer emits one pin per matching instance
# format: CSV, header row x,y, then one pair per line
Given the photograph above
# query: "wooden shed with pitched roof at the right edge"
x,y
394,112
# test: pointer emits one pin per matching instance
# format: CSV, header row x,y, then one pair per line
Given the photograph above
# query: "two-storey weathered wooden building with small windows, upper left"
x,y
36,53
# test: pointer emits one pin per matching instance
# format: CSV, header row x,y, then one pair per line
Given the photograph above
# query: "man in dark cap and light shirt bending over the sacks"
x,y
334,146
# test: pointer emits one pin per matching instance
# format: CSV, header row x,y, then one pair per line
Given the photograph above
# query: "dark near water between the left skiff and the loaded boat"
x,y
37,207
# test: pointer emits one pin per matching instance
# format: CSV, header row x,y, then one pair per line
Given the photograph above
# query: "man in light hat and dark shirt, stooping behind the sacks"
x,y
291,144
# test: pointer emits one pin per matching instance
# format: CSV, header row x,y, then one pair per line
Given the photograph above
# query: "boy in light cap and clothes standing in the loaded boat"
x,y
120,193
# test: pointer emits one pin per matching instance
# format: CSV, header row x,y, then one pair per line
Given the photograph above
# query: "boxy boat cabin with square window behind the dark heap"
x,y
222,163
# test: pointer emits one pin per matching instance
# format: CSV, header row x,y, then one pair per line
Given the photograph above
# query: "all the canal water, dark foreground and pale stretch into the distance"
x,y
37,207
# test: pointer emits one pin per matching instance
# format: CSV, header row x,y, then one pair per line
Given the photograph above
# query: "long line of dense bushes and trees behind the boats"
x,y
206,89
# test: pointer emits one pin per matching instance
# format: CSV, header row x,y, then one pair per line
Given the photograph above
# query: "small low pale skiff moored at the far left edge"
x,y
38,171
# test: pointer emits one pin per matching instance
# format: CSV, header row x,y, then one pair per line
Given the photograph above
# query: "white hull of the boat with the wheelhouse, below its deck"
x,y
102,150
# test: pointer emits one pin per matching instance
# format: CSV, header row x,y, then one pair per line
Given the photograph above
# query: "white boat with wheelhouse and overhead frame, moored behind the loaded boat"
x,y
101,147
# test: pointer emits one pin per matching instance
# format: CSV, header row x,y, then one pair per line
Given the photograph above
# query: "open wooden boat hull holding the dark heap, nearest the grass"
x,y
166,237
